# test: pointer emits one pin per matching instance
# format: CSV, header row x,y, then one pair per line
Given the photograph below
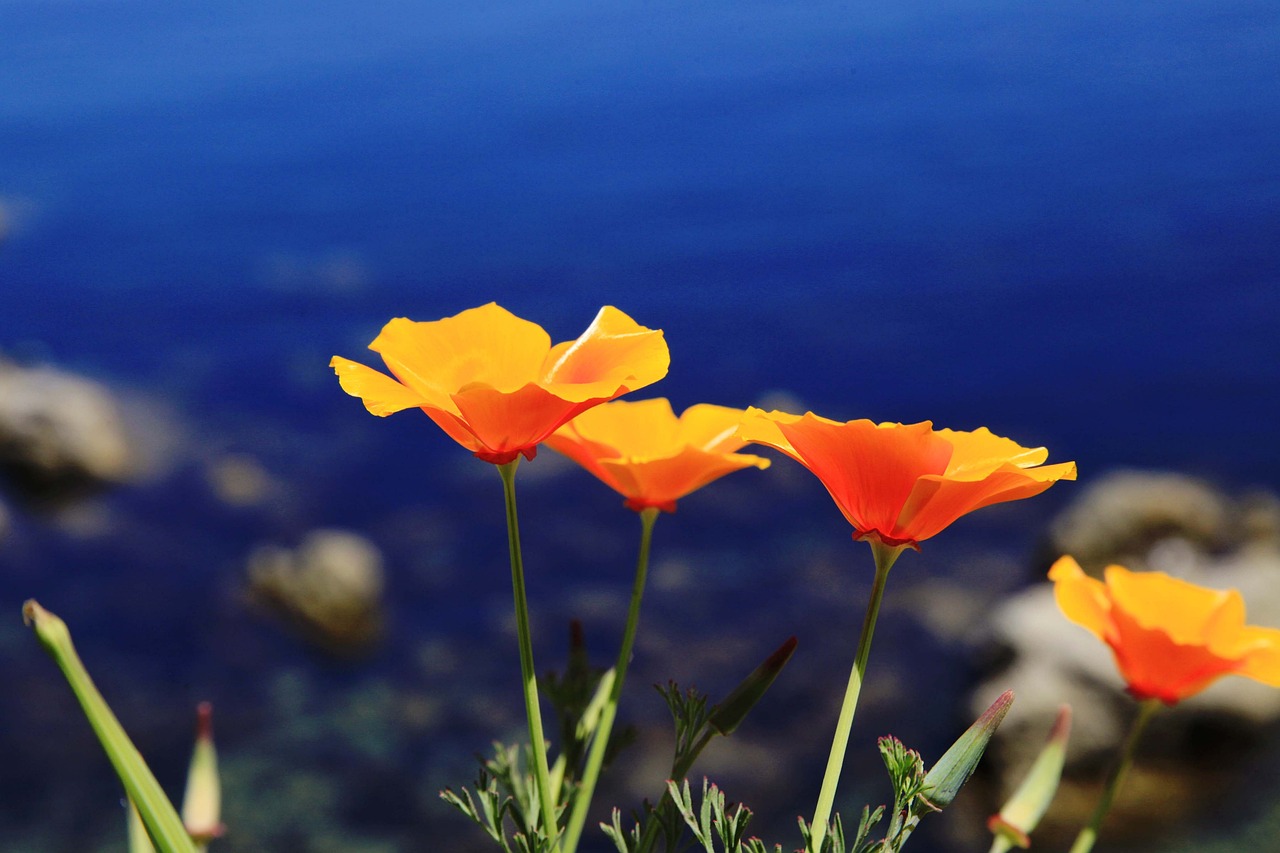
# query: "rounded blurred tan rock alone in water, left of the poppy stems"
x,y
330,589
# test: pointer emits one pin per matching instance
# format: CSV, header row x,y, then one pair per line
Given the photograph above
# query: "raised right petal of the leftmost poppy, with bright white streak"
x,y
612,357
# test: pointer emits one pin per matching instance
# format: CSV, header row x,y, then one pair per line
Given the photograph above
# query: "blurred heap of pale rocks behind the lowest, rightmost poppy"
x,y
1192,756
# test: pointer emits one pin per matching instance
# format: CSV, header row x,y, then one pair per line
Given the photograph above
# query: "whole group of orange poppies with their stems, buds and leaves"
x,y
496,385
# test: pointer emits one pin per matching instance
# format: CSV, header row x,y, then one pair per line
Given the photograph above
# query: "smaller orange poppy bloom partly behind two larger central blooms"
x,y
650,457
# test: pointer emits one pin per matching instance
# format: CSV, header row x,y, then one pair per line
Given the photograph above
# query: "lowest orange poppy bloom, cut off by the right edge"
x,y
1171,638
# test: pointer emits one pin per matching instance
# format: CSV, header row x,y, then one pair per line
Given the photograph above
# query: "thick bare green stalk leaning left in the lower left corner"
x,y
159,815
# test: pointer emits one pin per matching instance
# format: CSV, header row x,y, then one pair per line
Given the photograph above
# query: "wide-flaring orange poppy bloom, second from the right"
x,y
904,483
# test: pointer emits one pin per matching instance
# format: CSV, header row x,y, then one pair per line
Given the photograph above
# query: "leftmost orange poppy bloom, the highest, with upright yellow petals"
x,y
495,382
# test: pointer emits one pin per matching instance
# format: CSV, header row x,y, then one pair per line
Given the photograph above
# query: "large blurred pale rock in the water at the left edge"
x,y
61,435
